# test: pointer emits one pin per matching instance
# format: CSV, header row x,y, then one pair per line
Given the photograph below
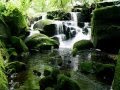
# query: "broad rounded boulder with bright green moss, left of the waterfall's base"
x,y
41,41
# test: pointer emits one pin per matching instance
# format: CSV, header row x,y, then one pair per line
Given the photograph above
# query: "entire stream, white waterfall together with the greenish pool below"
x,y
49,59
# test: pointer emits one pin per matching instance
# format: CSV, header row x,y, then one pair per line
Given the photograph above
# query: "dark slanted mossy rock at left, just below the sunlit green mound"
x,y
19,44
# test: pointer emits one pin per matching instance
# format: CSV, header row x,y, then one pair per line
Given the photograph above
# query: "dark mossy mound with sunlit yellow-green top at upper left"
x,y
15,19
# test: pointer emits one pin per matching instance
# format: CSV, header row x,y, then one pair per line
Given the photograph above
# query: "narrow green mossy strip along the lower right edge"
x,y
116,81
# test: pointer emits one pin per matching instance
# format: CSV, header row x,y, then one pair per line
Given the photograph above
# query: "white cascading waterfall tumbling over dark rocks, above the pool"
x,y
69,32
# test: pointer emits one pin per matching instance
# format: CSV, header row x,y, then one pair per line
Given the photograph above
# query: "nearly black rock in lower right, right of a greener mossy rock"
x,y
104,72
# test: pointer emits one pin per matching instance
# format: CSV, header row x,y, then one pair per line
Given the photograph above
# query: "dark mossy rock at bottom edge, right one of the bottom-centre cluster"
x,y
65,83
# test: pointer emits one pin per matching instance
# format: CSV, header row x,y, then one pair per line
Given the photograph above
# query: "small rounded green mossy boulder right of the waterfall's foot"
x,y
82,45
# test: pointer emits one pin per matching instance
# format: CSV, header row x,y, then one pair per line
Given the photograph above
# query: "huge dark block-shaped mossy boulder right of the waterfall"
x,y
106,29
